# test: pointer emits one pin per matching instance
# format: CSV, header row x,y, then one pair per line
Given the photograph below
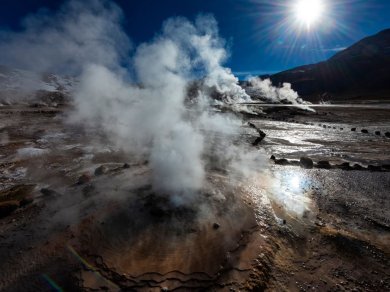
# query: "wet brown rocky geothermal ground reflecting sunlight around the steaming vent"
x,y
77,217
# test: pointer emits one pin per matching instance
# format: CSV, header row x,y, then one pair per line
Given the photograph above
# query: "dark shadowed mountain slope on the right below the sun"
x,y
361,71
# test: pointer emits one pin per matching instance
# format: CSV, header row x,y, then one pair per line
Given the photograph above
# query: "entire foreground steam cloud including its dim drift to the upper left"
x,y
146,113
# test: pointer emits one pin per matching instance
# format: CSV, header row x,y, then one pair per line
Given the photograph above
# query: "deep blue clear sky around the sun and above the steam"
x,y
260,34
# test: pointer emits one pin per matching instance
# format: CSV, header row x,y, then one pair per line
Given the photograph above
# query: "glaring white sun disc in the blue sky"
x,y
308,12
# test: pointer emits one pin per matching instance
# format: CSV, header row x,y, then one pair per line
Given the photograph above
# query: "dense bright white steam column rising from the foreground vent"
x,y
152,120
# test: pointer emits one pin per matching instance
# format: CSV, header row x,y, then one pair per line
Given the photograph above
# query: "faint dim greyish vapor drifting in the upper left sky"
x,y
80,32
